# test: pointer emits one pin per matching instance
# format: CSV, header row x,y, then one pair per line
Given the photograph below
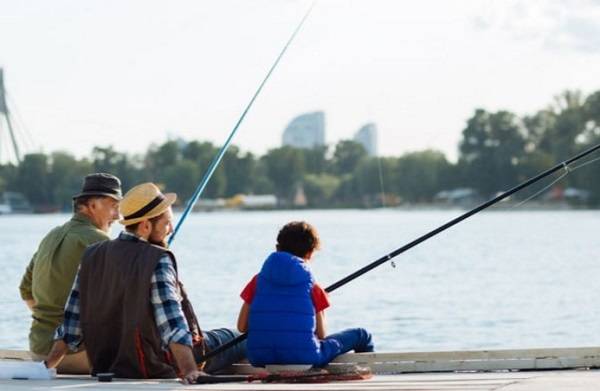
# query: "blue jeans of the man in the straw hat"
x,y
216,338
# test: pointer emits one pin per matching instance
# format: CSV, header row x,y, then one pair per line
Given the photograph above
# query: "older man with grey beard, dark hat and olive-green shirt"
x,y
50,274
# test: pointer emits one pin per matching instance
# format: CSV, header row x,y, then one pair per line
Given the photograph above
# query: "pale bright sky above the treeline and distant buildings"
x,y
131,73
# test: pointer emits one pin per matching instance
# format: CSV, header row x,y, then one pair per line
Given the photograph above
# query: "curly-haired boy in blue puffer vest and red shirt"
x,y
283,308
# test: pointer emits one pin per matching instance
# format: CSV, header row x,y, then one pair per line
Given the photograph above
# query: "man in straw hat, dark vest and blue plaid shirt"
x,y
128,306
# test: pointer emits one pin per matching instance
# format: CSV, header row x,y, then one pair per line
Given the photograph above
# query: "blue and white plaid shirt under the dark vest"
x,y
164,297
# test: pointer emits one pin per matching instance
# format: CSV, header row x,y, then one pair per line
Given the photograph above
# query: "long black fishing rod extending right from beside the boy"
x,y
395,253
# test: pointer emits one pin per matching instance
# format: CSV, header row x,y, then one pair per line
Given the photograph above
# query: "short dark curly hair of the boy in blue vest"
x,y
298,238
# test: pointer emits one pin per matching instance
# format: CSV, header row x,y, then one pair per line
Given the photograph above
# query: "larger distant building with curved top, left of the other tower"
x,y
305,131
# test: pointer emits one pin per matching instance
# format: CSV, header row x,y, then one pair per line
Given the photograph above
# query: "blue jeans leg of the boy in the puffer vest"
x,y
358,339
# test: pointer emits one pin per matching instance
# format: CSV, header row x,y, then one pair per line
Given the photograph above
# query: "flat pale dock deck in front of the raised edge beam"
x,y
507,381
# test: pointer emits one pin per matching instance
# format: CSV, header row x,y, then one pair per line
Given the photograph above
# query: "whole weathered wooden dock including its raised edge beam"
x,y
506,370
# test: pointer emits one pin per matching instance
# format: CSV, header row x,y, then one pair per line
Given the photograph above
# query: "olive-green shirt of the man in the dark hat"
x,y
50,274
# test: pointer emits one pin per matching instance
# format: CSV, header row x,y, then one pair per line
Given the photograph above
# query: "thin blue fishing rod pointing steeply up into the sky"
x,y
215,162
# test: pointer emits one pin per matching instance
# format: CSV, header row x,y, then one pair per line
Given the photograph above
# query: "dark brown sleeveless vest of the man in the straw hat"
x,y
117,318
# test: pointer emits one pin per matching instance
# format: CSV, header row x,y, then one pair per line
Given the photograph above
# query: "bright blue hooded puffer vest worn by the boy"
x,y
282,323
